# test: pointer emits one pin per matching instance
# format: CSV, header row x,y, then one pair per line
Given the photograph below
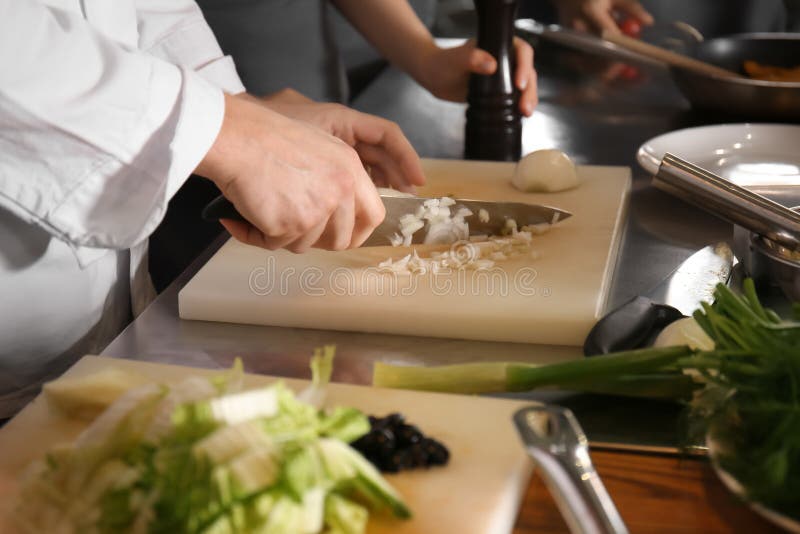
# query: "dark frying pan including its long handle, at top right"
x,y
744,97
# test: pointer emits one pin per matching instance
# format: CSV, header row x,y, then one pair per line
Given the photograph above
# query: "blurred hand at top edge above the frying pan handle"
x,y
599,15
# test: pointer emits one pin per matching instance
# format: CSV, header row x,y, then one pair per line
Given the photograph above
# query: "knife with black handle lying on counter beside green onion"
x,y
636,323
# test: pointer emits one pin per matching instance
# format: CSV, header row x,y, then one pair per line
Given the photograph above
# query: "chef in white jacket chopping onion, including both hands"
x,y
105,109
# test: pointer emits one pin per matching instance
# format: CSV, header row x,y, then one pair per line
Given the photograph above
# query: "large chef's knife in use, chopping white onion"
x,y
396,207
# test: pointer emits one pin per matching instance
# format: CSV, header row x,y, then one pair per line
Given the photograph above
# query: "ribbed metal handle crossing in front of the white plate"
x,y
729,201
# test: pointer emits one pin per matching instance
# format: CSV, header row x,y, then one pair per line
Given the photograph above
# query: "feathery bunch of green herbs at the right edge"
x,y
751,403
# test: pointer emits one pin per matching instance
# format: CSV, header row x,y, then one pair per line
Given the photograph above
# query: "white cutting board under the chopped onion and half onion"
x,y
554,299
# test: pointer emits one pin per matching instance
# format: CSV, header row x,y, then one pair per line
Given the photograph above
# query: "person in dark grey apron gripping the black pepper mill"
x,y
276,45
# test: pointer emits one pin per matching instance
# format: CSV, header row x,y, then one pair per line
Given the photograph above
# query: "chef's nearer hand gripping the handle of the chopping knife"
x,y
299,186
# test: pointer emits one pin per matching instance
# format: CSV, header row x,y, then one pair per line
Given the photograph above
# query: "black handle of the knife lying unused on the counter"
x,y
633,325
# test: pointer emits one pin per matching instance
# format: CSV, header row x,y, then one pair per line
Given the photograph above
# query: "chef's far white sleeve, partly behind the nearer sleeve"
x,y
176,31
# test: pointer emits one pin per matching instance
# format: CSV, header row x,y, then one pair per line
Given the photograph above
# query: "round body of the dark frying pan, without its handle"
x,y
743,96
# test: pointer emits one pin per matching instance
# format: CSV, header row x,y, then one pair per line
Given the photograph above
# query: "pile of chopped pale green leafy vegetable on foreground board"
x,y
198,458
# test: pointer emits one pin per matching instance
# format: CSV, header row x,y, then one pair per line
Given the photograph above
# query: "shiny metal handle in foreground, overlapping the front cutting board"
x,y
559,448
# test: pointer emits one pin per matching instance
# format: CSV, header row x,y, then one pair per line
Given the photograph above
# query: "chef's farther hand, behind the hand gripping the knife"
x,y
381,145
